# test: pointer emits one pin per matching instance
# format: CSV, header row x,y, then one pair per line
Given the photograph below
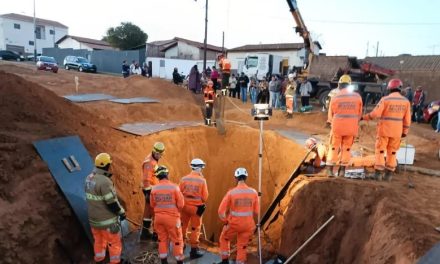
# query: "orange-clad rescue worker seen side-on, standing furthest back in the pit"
x,y
148,181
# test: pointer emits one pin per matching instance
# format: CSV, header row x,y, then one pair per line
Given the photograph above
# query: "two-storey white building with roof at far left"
x,y
17,33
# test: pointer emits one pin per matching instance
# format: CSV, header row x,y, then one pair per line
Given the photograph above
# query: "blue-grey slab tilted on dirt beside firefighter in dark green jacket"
x,y
69,163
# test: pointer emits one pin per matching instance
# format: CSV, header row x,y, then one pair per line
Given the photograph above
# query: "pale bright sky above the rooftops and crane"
x,y
343,27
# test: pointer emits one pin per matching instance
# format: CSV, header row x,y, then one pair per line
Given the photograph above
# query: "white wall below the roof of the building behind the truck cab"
x,y
293,56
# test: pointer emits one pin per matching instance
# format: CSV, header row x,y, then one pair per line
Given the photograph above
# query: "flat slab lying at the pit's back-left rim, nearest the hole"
x,y
146,128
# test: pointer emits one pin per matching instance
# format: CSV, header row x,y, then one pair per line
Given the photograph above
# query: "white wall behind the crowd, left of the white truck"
x,y
184,66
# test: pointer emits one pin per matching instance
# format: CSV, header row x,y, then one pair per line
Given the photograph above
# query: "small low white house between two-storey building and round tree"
x,y
74,42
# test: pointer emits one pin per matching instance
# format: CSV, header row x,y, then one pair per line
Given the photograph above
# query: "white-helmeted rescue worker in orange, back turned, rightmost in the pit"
x,y
237,211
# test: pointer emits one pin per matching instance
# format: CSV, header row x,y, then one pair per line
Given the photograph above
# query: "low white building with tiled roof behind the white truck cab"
x,y
292,54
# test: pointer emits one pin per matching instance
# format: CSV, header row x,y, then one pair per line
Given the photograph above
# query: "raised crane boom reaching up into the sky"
x,y
304,33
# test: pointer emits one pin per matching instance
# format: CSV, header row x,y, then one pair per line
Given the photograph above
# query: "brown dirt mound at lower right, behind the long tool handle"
x,y
373,223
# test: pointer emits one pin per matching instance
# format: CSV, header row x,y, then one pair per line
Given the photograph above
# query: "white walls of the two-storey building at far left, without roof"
x,y
22,36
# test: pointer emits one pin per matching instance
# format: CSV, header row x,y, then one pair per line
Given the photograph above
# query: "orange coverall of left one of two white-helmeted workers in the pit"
x,y
195,192
